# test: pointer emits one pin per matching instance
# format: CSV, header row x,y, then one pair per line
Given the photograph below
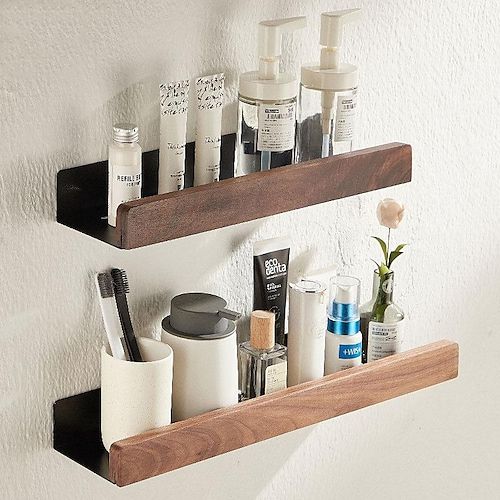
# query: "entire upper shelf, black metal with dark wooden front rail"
x,y
82,193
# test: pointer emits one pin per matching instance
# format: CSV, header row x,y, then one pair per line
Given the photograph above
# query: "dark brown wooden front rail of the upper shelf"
x,y
232,201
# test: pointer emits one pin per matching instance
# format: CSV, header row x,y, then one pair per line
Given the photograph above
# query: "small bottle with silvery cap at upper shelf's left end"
x,y
124,168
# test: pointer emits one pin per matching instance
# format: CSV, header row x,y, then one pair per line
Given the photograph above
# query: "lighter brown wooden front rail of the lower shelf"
x,y
220,431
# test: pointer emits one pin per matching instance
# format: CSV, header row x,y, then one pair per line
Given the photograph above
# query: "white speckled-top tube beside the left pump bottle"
x,y
209,96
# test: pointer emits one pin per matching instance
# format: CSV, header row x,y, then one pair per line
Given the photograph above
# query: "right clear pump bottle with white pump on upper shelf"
x,y
328,95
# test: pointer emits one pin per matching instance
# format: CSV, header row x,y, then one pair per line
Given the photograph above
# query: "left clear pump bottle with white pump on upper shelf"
x,y
267,105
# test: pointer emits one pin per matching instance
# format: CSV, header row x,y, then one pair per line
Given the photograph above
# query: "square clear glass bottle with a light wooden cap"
x,y
262,363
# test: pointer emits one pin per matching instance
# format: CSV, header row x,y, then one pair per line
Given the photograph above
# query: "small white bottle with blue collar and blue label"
x,y
343,343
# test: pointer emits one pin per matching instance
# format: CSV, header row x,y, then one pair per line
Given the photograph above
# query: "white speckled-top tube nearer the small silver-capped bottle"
x,y
173,120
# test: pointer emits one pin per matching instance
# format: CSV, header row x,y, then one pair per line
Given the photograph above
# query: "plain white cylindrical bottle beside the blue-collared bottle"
x,y
306,331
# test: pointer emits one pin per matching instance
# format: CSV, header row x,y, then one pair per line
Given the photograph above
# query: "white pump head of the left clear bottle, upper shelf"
x,y
270,43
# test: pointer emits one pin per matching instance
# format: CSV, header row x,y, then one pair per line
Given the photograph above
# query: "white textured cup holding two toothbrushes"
x,y
136,396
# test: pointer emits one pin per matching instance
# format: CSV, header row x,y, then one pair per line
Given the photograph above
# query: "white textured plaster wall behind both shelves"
x,y
69,69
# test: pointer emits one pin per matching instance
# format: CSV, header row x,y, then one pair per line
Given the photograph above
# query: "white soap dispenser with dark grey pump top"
x,y
202,334
